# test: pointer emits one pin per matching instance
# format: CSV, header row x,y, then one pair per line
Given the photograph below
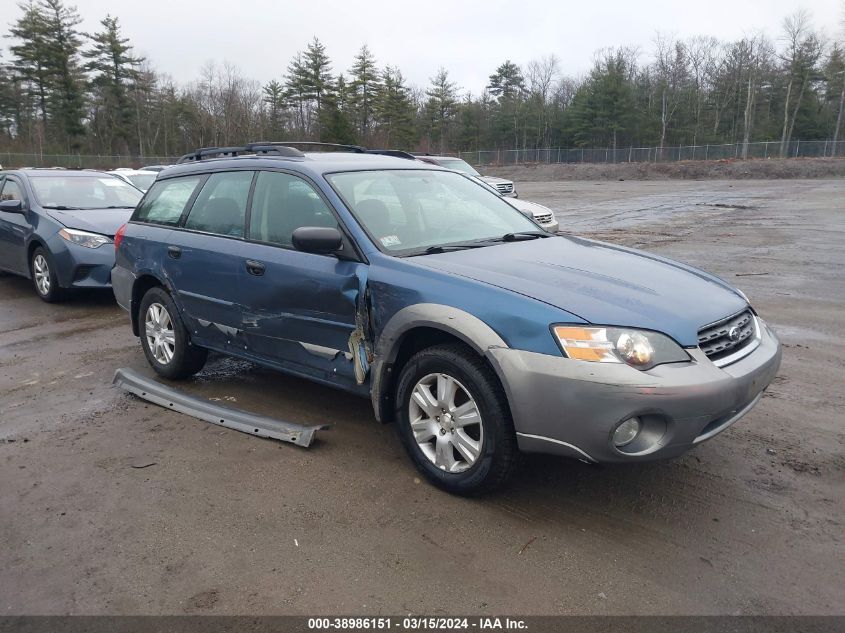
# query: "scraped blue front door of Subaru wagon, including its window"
x,y
298,309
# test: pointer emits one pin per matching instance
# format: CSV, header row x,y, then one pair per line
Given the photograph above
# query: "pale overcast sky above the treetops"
x,y
468,37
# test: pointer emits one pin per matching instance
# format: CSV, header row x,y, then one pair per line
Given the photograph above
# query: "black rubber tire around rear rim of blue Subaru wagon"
x,y
186,359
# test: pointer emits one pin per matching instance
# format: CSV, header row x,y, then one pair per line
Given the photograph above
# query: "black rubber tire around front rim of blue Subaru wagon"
x,y
498,451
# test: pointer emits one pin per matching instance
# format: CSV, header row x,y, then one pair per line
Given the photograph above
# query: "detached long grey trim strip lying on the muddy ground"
x,y
169,398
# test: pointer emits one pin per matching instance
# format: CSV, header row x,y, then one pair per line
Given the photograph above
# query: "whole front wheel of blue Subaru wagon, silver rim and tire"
x,y
454,420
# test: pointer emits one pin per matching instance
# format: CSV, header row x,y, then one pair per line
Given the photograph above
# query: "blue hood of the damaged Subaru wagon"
x,y
600,283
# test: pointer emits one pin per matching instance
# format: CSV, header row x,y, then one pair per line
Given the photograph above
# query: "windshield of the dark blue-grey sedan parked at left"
x,y
84,192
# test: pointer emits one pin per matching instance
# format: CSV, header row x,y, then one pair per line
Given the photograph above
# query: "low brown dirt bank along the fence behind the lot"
x,y
685,170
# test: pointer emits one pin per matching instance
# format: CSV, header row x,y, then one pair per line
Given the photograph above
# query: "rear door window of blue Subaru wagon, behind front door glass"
x,y
221,206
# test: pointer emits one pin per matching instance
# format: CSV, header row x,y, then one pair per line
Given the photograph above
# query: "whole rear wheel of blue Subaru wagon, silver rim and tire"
x,y
164,338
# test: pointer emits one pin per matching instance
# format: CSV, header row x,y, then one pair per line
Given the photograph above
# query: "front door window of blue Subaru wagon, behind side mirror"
x,y
283,203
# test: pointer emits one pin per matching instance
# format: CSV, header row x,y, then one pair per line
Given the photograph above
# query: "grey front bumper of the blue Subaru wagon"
x,y
572,407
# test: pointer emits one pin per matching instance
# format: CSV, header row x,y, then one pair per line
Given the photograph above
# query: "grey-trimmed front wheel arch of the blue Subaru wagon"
x,y
415,328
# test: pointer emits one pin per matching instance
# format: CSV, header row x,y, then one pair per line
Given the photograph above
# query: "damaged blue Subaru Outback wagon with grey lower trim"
x,y
473,329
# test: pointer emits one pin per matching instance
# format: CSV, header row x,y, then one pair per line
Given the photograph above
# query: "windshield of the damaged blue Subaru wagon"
x,y
408,211
